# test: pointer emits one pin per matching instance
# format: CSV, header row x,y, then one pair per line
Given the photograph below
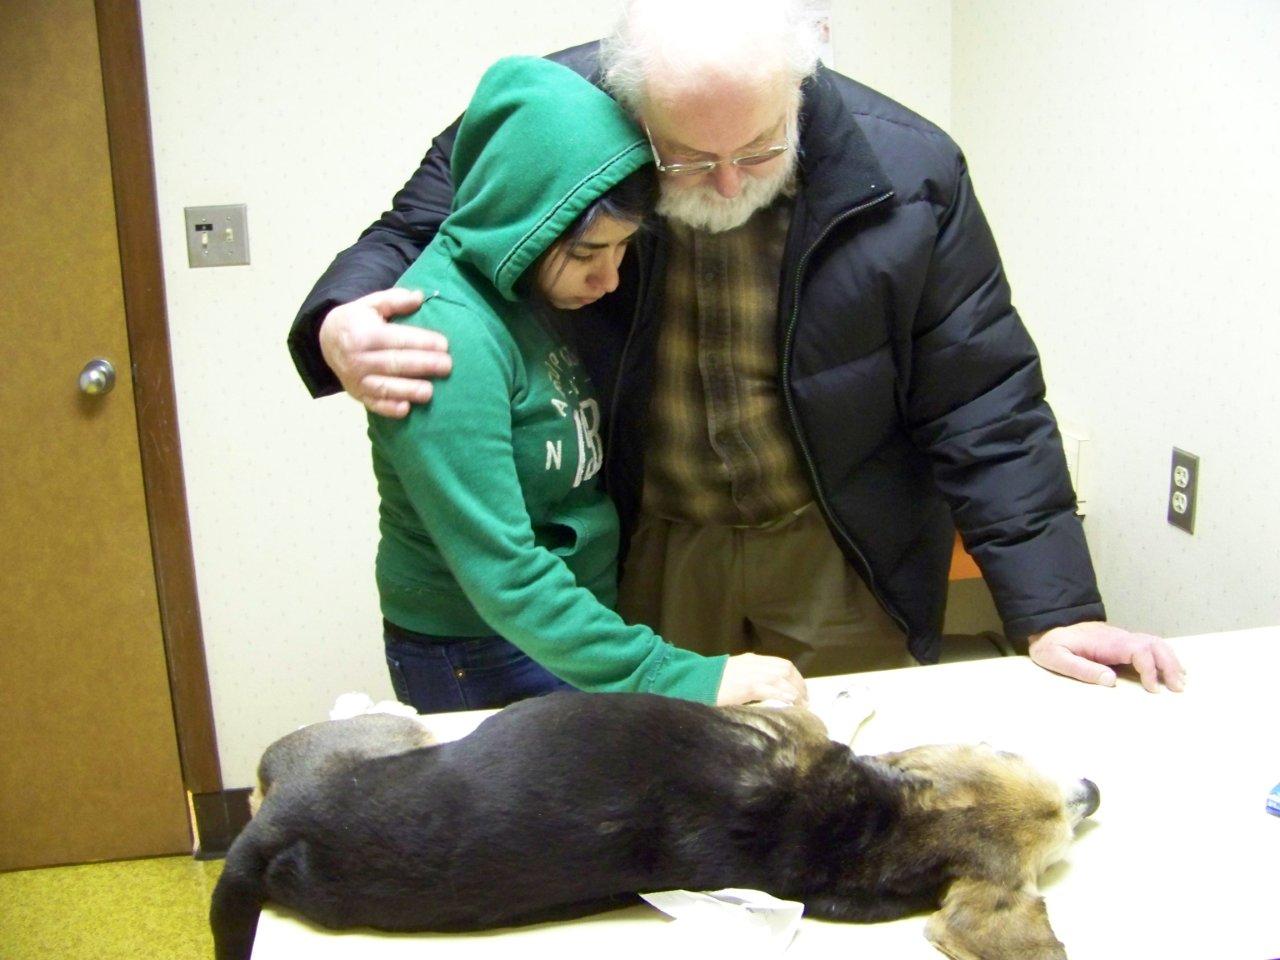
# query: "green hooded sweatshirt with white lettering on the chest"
x,y
492,519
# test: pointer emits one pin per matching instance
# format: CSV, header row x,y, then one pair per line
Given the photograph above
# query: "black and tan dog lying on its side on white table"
x,y
574,803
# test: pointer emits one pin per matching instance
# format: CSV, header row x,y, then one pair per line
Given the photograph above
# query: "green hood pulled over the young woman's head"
x,y
538,145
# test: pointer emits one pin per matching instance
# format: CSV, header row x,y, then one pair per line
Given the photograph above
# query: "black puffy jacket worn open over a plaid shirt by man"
x,y
913,391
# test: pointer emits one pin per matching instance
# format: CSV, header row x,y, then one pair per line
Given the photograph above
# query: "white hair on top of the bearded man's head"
x,y
684,43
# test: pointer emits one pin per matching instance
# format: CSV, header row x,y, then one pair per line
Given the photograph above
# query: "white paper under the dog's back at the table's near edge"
x,y
748,922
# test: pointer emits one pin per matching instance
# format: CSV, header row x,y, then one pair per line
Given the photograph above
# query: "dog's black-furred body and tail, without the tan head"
x,y
574,803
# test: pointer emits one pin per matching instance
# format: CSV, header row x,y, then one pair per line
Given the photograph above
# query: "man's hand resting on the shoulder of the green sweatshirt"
x,y
386,367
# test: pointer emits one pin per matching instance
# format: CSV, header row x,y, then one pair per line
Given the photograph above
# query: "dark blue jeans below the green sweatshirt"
x,y
446,674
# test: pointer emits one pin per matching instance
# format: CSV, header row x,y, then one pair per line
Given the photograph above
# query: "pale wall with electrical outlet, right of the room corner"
x,y
1126,154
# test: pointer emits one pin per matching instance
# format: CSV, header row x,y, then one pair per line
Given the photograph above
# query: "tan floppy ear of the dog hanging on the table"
x,y
984,921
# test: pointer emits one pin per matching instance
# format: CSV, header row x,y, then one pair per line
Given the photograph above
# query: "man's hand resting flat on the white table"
x,y
1089,651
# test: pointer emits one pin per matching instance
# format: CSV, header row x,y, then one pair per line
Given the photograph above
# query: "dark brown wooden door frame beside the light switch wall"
x,y
217,816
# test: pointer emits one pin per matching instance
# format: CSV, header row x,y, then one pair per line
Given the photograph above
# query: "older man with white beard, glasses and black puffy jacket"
x,y
813,364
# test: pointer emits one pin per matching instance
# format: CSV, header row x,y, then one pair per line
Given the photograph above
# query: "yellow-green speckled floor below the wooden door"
x,y
136,911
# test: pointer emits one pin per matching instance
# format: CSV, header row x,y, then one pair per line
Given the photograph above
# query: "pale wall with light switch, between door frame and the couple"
x,y
314,116
